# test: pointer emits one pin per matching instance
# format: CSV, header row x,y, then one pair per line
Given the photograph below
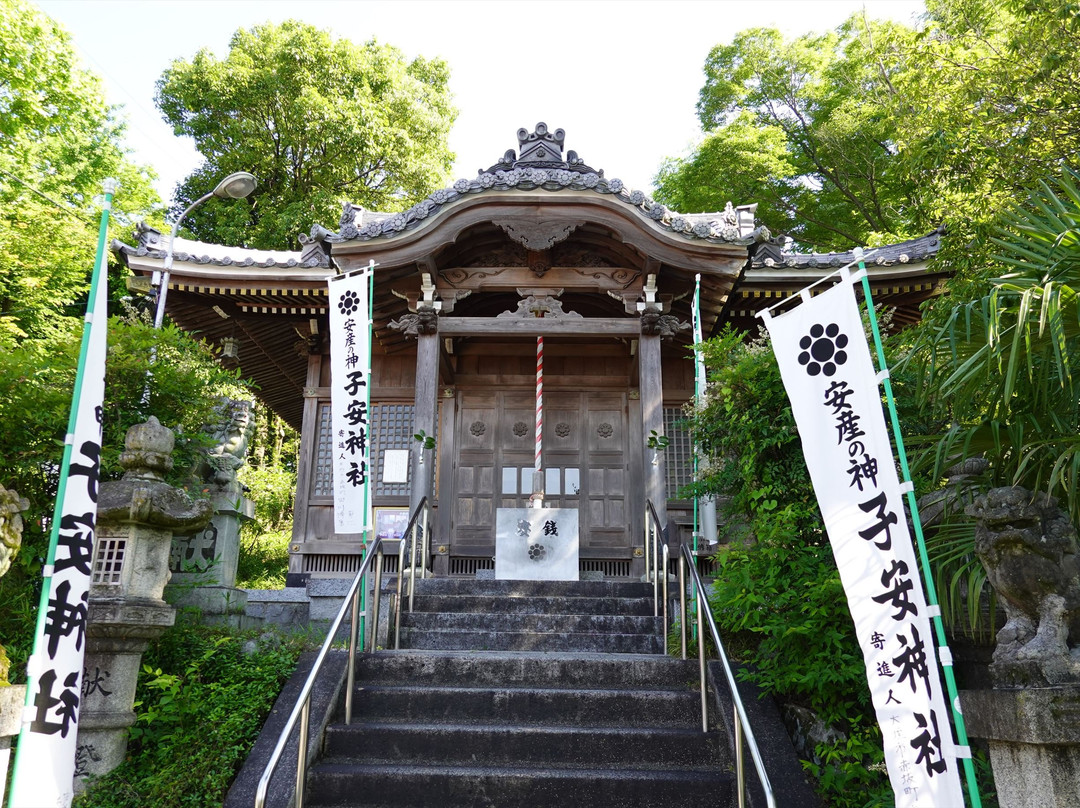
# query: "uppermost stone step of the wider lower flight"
x,y
526,669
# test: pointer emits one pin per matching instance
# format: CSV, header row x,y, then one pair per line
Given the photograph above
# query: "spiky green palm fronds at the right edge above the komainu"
x,y
1002,369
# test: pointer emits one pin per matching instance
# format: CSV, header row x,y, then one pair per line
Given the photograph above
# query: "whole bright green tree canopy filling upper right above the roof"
x,y
877,132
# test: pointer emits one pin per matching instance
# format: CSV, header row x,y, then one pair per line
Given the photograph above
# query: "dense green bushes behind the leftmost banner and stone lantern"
x,y
182,387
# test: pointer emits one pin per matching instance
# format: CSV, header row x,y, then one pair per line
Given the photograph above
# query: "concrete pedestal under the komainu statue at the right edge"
x,y
1034,737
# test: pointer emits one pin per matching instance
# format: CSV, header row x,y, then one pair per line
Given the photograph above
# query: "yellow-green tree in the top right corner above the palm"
x,y
993,103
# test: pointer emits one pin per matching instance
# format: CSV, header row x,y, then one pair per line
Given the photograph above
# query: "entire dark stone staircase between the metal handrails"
x,y
524,694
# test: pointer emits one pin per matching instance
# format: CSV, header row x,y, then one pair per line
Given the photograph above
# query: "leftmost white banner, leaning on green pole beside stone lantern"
x,y
46,756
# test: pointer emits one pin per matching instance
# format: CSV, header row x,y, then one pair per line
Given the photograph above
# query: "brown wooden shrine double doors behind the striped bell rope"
x,y
584,461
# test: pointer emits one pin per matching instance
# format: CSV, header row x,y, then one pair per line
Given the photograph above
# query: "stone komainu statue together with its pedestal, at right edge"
x,y
1032,718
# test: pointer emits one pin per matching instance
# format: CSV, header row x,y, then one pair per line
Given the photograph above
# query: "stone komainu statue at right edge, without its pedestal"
x,y
1029,547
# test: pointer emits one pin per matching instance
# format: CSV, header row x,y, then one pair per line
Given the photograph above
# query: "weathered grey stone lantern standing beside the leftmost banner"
x,y
137,519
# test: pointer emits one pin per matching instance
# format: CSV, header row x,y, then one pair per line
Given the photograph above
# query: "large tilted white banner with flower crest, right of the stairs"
x,y
829,374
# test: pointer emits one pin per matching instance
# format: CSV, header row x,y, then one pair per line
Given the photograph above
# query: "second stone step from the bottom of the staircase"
x,y
463,745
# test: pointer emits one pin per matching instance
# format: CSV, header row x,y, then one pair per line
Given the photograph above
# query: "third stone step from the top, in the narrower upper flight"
x,y
545,624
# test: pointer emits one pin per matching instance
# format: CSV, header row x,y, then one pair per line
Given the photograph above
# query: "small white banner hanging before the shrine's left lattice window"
x,y
350,322
